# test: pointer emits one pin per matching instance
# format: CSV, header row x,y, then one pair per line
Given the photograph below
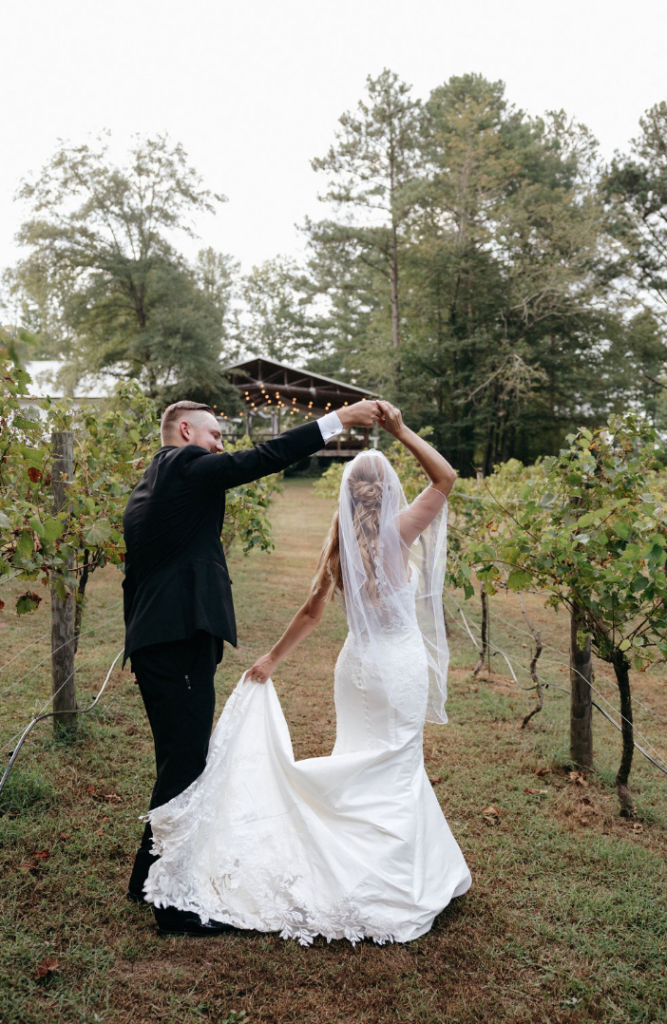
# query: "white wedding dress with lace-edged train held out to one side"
x,y
349,846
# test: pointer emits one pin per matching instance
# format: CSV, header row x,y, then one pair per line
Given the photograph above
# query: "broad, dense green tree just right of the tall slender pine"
x,y
504,287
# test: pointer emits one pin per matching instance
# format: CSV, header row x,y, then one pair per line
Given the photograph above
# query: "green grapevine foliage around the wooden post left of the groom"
x,y
110,455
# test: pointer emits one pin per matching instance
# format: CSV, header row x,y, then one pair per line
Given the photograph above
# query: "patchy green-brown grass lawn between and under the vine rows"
x,y
567,919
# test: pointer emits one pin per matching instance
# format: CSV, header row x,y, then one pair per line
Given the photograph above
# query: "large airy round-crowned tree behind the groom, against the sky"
x,y
104,283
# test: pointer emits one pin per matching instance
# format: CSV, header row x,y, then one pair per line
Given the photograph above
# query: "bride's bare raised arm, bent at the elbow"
x,y
427,506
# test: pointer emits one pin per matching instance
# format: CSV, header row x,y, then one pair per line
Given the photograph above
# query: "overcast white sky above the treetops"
x,y
254,90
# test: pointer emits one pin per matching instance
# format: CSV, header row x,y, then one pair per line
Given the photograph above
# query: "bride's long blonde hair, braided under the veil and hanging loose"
x,y
366,485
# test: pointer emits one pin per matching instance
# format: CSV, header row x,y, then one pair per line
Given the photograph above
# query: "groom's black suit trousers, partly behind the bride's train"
x,y
177,685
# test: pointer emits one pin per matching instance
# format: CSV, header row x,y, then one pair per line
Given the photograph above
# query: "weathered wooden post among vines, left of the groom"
x,y
63,613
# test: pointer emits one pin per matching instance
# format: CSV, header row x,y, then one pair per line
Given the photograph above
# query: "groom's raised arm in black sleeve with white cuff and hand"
x,y
233,468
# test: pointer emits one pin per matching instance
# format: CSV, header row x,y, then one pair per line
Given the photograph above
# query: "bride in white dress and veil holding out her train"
x,y
354,845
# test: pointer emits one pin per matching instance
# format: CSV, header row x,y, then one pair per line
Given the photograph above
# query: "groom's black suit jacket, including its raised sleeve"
x,y
177,580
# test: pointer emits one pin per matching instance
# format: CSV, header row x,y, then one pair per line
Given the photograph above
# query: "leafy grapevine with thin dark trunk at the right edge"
x,y
596,540
